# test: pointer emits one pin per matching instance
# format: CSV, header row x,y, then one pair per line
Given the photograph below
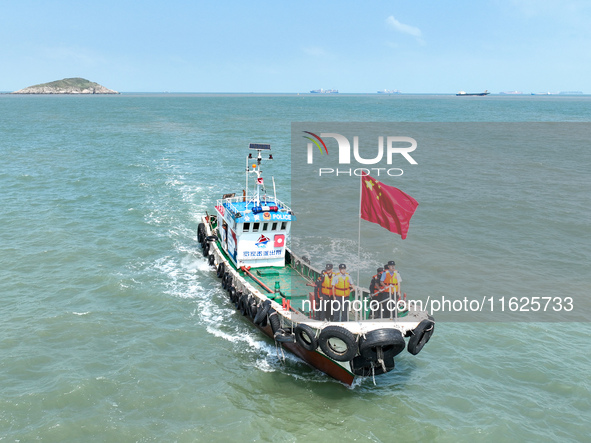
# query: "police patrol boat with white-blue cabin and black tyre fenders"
x,y
244,240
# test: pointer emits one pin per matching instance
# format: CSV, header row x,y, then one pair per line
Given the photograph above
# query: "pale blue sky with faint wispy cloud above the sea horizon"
x,y
416,46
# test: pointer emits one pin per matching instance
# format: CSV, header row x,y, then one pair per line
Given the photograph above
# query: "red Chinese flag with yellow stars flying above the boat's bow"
x,y
387,206
